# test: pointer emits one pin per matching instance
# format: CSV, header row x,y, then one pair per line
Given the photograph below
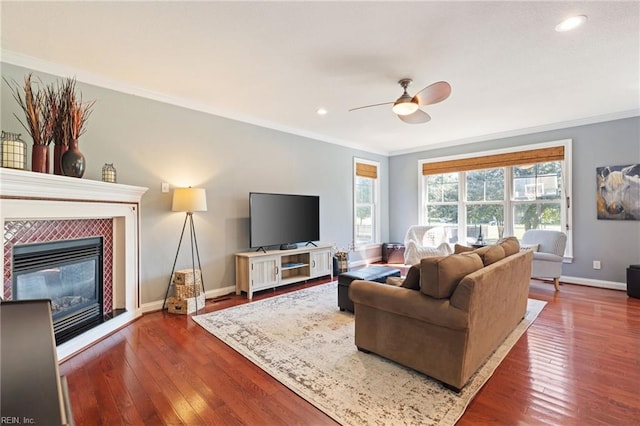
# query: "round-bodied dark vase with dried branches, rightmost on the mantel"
x,y
71,125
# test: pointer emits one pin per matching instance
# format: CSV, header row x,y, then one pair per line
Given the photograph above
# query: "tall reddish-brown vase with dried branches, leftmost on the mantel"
x,y
40,107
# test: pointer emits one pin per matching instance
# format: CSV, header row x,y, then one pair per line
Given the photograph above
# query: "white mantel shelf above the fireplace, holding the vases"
x,y
25,184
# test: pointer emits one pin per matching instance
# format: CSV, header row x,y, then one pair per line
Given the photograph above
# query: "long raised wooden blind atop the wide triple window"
x,y
520,158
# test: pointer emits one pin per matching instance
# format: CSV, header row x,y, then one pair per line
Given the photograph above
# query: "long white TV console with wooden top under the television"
x,y
260,270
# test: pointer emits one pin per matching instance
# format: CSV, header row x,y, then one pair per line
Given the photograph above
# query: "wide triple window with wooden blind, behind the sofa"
x,y
495,194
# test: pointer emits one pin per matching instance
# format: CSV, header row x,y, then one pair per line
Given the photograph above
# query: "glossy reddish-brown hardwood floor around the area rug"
x,y
578,364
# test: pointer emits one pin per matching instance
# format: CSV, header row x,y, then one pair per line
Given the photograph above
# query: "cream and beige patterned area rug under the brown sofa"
x,y
304,341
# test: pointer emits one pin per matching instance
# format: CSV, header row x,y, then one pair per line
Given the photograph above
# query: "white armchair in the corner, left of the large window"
x,y
424,241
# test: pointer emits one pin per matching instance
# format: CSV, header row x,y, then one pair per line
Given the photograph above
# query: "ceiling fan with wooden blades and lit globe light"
x,y
407,106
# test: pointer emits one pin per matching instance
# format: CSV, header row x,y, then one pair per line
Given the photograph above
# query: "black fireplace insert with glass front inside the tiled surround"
x,y
67,272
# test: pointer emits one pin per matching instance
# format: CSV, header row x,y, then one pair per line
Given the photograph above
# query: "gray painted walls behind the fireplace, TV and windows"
x,y
151,142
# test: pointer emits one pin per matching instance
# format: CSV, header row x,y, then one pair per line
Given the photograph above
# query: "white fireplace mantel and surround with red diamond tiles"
x,y
56,208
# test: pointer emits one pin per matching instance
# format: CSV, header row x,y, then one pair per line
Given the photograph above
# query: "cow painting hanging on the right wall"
x,y
618,192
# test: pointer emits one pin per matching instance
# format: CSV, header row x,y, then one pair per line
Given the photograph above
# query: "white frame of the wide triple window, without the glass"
x,y
509,203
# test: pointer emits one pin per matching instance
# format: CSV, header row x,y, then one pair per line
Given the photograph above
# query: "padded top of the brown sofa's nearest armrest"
x,y
407,303
